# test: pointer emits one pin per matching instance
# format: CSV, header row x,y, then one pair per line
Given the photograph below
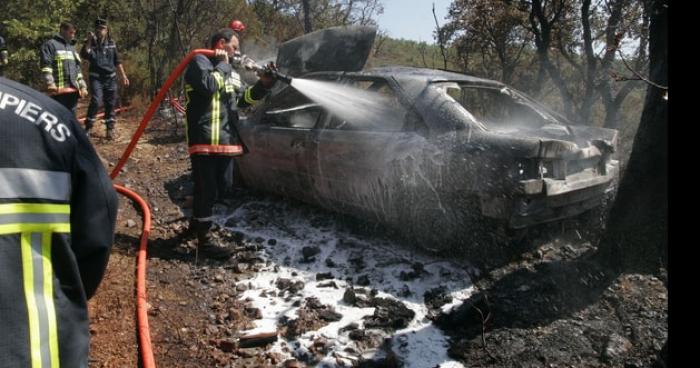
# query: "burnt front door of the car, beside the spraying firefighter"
x,y
279,142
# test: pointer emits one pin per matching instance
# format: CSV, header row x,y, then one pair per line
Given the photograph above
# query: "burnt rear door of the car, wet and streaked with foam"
x,y
360,163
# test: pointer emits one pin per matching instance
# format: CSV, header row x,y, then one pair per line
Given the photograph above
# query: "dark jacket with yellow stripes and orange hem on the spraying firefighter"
x,y
213,91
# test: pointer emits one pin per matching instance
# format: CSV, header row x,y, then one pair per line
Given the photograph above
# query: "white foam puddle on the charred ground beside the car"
x,y
419,345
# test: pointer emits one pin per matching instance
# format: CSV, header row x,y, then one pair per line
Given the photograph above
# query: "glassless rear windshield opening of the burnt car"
x,y
497,108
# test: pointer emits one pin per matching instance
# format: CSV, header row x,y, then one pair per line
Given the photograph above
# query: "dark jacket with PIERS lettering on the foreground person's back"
x,y
57,217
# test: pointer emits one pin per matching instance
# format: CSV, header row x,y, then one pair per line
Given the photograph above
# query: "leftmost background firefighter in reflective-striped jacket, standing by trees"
x,y
60,66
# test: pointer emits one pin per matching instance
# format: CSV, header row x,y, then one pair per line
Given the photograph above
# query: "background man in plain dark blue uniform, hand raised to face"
x,y
101,51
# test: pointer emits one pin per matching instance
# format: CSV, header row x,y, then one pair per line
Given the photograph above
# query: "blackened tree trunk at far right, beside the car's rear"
x,y
636,239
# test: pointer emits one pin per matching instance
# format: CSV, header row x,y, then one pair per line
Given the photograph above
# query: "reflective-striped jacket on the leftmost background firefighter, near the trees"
x,y
60,64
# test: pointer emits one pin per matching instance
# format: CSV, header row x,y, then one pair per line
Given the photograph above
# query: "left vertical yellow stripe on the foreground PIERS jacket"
x,y
32,310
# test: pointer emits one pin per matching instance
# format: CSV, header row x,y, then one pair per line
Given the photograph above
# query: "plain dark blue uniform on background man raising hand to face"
x,y
103,58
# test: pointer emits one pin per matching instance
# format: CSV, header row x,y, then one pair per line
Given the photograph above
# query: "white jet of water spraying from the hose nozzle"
x,y
353,107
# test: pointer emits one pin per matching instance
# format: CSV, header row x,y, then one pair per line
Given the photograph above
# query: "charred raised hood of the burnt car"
x,y
331,49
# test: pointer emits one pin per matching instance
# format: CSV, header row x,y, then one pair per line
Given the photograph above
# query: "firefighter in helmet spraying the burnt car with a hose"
x,y
213,93
